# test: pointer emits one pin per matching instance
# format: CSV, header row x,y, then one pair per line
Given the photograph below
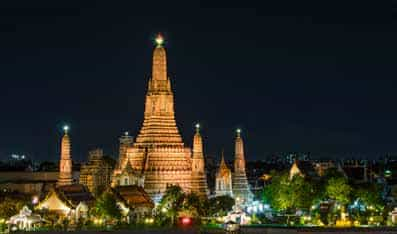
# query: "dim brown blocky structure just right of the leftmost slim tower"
x,y
96,173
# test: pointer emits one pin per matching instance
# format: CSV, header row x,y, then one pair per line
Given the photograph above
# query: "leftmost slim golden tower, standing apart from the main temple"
x,y
65,164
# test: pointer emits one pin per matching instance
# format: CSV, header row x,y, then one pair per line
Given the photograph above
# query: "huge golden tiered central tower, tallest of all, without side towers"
x,y
158,152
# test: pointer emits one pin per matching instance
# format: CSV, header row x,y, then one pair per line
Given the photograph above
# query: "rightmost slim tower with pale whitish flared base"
x,y
241,188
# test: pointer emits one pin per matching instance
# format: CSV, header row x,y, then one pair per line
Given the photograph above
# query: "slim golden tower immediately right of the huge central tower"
x,y
199,178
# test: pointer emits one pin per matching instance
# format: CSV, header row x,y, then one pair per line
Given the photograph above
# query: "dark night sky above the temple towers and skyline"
x,y
308,76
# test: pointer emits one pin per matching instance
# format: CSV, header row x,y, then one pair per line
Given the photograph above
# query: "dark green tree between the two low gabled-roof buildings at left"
x,y
106,207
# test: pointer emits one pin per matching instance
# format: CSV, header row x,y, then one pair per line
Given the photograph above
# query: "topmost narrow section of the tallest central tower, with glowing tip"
x,y
159,68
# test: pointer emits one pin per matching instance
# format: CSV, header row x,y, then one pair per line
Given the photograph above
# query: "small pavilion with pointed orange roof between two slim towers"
x,y
223,181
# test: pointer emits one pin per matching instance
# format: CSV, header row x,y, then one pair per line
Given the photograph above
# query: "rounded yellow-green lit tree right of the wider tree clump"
x,y
338,189
